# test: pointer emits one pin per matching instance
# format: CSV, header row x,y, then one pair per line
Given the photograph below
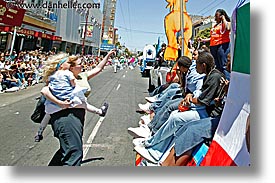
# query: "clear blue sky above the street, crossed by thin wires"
x,y
141,22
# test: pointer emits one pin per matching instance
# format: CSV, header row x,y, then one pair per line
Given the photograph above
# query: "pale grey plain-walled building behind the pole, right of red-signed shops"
x,y
71,27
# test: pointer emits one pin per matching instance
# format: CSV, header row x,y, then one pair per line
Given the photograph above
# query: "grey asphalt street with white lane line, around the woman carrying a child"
x,y
106,141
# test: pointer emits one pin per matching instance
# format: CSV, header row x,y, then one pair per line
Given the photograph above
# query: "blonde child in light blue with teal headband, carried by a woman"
x,y
62,84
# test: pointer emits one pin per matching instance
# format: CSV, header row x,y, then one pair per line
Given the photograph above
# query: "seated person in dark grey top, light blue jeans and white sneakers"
x,y
200,107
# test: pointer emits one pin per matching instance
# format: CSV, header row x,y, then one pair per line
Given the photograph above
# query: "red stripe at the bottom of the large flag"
x,y
217,156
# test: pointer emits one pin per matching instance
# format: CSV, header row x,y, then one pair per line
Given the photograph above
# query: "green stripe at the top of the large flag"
x,y
241,61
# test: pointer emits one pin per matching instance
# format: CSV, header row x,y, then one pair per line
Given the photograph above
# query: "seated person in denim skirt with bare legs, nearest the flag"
x,y
191,135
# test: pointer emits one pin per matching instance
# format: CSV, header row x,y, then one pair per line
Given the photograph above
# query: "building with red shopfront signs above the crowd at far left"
x,y
37,30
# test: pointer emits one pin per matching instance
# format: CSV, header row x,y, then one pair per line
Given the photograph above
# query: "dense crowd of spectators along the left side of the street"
x,y
20,70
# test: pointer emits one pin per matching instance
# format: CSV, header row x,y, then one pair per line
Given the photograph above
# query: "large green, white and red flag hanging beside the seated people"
x,y
230,143
